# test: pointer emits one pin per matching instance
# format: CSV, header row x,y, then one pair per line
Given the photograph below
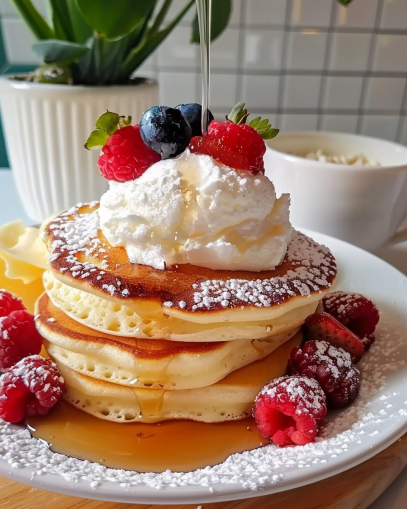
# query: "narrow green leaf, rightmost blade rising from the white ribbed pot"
x,y
137,56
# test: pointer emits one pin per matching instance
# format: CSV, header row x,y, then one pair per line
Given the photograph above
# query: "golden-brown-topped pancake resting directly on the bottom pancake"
x,y
152,363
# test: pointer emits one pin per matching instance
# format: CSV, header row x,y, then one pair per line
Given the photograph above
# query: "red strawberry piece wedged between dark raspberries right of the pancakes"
x,y
324,327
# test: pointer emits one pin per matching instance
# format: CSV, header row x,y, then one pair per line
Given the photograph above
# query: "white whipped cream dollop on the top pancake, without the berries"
x,y
195,210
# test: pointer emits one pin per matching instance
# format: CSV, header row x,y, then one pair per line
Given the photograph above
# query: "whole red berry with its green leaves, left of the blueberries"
x,y
124,155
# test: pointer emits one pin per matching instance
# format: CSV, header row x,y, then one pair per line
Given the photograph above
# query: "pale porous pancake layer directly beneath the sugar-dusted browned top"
x,y
112,318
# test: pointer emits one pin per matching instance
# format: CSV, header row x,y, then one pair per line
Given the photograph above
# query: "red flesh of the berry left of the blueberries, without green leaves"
x,y
125,156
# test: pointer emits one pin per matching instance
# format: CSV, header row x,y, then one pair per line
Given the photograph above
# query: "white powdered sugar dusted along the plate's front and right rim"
x,y
377,411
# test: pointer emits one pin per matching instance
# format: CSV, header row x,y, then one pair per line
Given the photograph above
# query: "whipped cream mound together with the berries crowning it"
x,y
208,204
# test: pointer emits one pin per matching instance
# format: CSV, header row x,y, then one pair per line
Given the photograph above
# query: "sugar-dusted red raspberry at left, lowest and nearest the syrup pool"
x,y
30,388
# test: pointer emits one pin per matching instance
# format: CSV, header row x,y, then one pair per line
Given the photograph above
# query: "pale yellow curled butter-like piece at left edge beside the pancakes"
x,y
23,251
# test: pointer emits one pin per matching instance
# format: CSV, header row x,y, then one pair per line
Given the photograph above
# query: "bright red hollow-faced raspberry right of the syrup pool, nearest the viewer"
x,y
289,410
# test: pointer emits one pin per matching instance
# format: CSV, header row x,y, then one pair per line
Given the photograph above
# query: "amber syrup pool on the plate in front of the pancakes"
x,y
180,446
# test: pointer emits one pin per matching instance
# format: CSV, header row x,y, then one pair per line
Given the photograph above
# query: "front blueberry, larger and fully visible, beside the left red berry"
x,y
165,130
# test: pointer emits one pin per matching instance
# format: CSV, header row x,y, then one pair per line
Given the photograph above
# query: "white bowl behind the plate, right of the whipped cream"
x,y
364,205
